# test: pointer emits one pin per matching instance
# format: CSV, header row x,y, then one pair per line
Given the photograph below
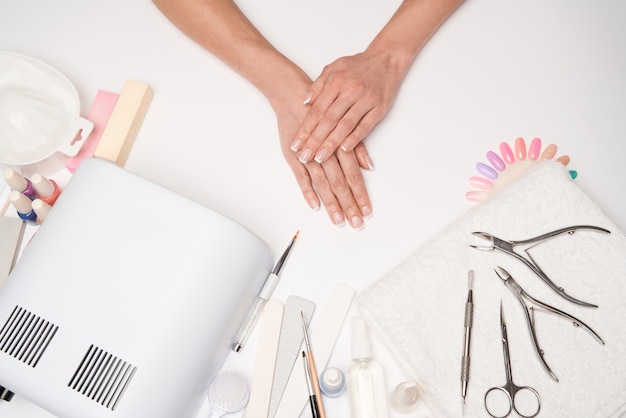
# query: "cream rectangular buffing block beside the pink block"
x,y
119,135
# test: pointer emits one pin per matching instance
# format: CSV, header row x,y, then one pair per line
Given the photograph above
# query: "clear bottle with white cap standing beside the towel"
x,y
366,384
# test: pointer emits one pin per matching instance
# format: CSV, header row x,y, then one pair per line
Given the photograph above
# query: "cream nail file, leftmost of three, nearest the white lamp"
x,y
265,361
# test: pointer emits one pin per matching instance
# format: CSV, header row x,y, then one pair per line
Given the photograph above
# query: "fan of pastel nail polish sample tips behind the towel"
x,y
501,169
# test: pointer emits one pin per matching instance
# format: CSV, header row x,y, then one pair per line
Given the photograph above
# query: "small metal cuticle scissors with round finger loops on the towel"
x,y
510,389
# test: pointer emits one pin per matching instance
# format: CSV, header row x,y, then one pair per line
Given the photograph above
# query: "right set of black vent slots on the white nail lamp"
x,y
102,377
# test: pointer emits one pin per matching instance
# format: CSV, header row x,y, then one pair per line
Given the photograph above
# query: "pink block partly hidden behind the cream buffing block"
x,y
99,114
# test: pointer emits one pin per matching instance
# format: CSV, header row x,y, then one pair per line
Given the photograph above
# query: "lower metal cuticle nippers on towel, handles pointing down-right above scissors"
x,y
521,295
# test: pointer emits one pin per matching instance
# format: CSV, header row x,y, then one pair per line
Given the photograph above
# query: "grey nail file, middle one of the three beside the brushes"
x,y
289,346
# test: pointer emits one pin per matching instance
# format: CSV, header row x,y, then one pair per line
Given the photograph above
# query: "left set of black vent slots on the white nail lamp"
x,y
26,336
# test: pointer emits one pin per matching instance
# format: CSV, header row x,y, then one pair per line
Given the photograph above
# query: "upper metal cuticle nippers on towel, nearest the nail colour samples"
x,y
508,247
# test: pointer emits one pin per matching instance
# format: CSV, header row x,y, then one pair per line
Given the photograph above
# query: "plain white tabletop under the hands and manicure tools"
x,y
495,71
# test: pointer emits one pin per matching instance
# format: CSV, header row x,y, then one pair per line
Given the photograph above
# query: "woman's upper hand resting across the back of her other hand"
x,y
351,95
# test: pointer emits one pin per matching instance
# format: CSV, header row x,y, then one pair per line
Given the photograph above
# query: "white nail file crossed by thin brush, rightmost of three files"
x,y
323,338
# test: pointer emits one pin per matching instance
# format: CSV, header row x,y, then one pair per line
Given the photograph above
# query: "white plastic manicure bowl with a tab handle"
x,y
39,112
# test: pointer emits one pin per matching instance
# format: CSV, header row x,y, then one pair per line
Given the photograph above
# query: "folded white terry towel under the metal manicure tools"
x,y
417,309
